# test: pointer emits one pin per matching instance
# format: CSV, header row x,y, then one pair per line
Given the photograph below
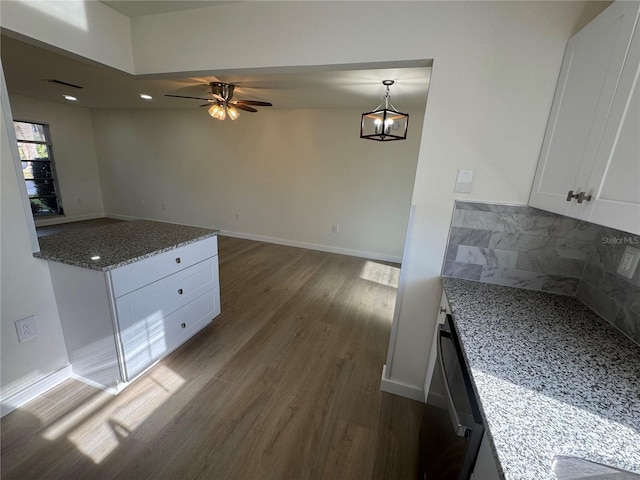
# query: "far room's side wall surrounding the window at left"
x,y
74,154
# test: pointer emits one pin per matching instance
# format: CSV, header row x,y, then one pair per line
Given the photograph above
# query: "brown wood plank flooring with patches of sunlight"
x,y
283,385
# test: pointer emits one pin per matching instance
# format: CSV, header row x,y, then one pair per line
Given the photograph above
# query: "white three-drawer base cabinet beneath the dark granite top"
x,y
118,323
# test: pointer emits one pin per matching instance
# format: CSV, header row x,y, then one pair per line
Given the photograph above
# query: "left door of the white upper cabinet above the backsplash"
x,y
588,80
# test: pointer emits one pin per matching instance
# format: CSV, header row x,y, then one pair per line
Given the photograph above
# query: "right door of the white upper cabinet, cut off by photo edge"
x,y
615,179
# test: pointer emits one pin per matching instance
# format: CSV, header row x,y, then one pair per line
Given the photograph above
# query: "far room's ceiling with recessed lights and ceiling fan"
x,y
27,69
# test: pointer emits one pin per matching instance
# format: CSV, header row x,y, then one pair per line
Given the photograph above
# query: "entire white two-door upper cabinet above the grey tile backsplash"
x,y
589,165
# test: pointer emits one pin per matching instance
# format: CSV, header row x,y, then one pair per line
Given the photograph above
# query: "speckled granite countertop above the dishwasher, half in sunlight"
x,y
551,378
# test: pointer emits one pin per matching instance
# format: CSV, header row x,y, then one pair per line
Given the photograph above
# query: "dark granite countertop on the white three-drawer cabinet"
x,y
117,244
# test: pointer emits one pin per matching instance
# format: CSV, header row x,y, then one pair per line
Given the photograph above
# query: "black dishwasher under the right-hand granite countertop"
x,y
450,439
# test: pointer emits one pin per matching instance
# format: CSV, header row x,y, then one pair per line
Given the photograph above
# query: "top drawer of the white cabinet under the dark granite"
x,y
138,274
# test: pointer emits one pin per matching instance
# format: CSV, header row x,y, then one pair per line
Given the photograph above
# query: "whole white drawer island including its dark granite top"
x,y
130,293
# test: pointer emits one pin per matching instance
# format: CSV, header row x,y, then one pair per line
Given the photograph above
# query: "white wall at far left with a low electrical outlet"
x,y
26,290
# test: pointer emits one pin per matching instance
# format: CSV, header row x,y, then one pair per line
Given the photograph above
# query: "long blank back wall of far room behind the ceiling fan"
x,y
289,174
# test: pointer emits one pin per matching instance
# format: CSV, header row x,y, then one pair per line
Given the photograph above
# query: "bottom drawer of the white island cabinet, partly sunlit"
x,y
165,334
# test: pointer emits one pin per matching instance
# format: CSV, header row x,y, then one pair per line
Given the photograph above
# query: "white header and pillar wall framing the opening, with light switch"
x,y
494,73
